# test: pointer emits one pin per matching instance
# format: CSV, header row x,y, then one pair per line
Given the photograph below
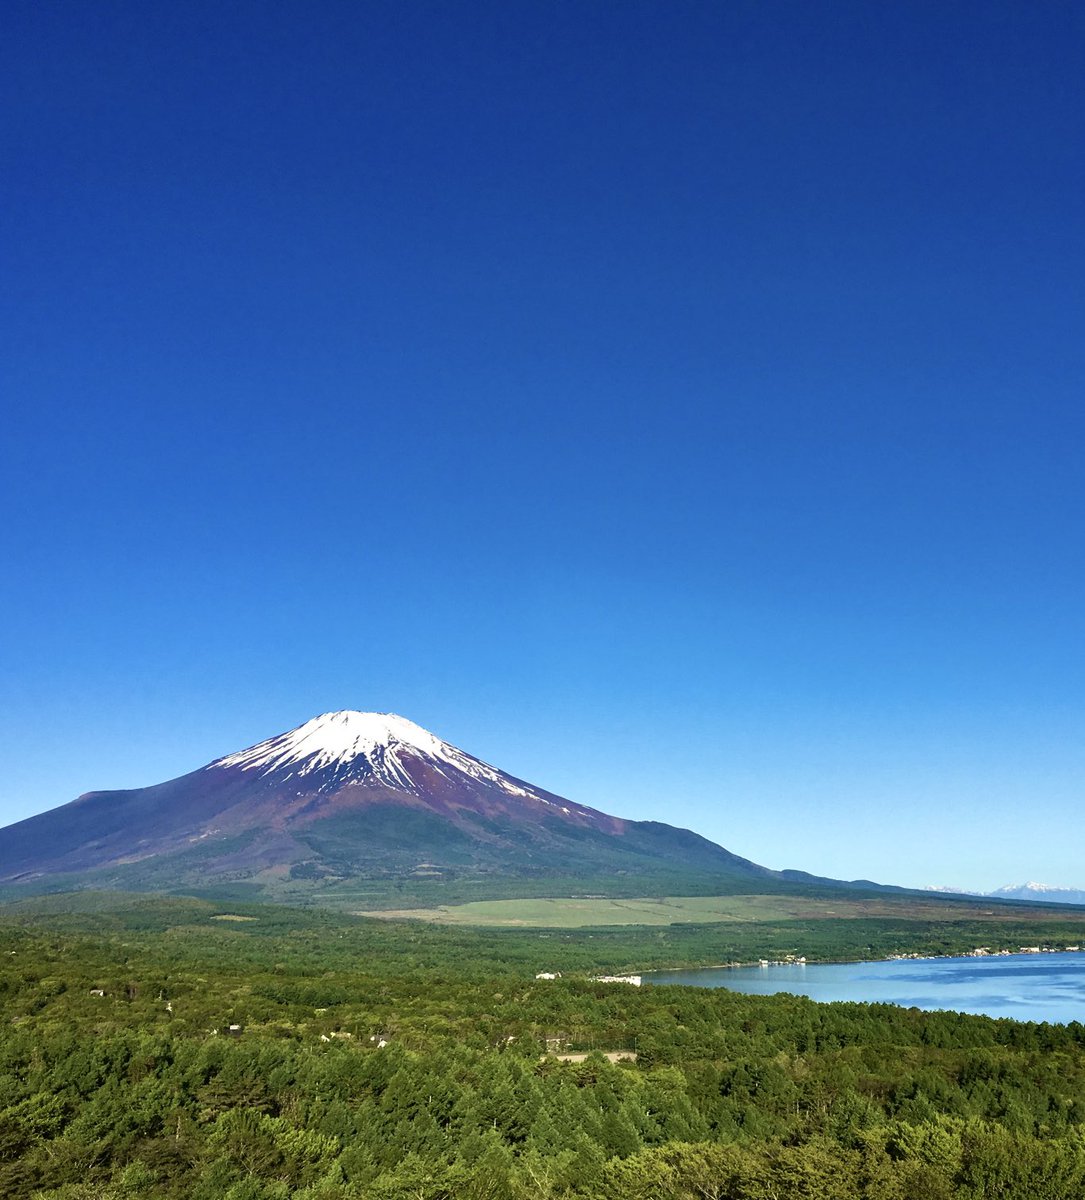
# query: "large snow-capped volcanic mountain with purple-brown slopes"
x,y
346,797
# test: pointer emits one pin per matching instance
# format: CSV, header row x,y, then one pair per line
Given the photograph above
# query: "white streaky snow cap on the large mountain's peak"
x,y
365,746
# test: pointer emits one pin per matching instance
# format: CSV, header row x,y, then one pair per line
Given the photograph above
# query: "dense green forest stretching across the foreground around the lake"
x,y
171,1048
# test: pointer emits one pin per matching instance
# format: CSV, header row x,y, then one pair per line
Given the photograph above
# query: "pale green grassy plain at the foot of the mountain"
x,y
594,911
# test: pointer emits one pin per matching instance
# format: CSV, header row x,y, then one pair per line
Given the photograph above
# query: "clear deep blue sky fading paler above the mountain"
x,y
678,405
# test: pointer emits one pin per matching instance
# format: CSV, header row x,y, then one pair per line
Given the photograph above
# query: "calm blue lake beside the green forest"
x,y
1026,987
